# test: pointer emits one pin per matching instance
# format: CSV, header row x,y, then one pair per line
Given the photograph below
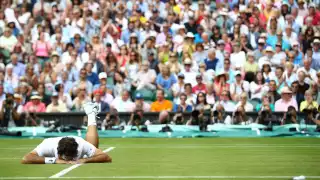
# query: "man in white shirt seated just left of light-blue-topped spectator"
x,y
145,78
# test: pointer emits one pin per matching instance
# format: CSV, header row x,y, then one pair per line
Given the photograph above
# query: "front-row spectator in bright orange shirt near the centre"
x,y
161,105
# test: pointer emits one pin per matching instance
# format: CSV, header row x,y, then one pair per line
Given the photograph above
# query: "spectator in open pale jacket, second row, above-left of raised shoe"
x,y
82,81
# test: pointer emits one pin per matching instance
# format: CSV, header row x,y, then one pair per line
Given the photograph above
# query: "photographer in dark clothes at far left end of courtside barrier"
x,y
10,112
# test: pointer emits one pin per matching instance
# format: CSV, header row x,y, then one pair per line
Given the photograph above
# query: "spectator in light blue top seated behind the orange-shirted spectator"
x,y
165,79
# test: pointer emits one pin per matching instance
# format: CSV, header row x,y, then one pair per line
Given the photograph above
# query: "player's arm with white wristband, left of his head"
x,y
34,158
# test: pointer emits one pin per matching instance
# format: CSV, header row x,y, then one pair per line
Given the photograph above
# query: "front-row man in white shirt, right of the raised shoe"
x,y
123,103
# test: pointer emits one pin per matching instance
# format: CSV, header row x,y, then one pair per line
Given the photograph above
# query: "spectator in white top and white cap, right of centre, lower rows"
x,y
238,87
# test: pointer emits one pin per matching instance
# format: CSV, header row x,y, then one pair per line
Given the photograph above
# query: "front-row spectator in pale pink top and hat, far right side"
x,y
286,100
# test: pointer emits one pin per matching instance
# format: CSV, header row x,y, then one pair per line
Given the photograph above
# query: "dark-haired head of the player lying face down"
x,y
67,148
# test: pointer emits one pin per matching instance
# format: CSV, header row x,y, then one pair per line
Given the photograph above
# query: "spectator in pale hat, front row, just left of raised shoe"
x,y
81,98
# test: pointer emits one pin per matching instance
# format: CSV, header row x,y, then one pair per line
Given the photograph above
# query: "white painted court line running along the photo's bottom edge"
x,y
166,177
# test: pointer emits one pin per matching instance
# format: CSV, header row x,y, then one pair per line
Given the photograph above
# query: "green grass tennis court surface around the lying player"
x,y
206,158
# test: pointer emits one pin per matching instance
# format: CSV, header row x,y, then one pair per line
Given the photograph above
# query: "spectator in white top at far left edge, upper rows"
x,y
7,43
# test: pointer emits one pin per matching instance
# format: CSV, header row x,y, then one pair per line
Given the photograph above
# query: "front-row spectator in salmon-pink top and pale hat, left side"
x,y
35,104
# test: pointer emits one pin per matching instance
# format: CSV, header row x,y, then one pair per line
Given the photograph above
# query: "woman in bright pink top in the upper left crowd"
x,y
42,49
